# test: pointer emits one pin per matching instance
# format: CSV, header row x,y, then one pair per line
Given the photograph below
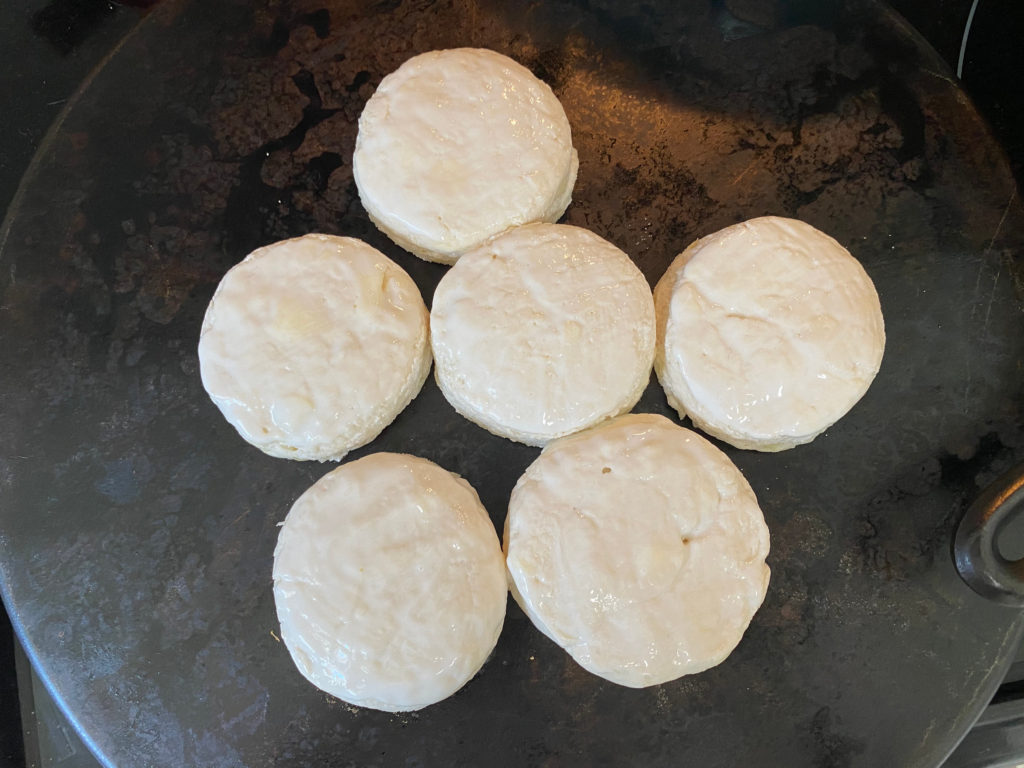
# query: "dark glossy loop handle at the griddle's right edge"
x,y
976,546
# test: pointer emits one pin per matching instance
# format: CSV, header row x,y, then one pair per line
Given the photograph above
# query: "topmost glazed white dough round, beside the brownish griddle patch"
x,y
457,146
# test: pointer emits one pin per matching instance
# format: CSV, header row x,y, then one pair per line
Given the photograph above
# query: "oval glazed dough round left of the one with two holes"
x,y
390,583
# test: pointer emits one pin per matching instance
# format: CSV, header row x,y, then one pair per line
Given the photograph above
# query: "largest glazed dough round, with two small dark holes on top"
x,y
639,548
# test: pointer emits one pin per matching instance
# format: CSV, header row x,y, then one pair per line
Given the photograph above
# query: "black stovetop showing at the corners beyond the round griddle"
x,y
50,47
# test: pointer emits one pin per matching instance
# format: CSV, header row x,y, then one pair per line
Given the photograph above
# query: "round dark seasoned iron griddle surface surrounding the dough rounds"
x,y
138,529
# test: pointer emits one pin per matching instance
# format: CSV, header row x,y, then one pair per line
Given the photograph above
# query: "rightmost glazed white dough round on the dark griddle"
x,y
770,332
